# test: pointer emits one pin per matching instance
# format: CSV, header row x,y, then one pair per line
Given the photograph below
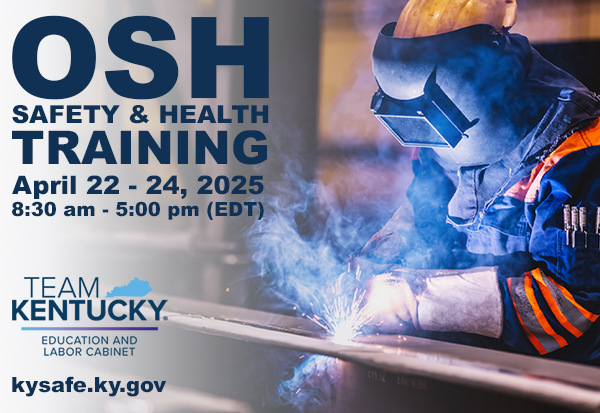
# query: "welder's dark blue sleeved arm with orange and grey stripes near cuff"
x,y
554,304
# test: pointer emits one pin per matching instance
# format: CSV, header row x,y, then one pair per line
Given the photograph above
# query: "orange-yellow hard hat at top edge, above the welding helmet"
x,y
422,18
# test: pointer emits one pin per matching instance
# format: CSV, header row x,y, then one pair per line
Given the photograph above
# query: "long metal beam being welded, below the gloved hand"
x,y
434,370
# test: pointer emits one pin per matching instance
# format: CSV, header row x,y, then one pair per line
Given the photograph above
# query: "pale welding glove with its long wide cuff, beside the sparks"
x,y
442,300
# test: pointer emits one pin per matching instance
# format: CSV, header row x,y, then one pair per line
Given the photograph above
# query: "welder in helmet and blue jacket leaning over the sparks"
x,y
504,250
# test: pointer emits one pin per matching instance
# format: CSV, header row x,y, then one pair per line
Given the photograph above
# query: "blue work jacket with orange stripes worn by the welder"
x,y
510,215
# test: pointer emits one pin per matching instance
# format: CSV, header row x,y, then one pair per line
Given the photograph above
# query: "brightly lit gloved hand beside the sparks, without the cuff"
x,y
390,302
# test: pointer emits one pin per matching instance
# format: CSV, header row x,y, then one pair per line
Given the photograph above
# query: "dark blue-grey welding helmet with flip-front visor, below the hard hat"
x,y
434,90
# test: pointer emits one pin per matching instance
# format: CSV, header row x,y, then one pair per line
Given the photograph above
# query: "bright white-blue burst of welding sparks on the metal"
x,y
346,315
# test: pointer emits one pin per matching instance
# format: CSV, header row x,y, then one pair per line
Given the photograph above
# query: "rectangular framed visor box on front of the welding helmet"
x,y
431,120
